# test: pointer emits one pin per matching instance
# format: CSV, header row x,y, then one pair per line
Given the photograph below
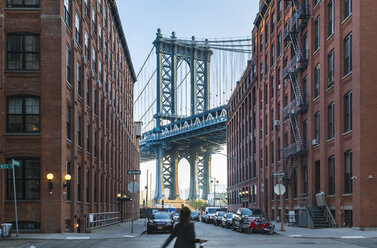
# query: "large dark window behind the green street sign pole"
x,y
27,177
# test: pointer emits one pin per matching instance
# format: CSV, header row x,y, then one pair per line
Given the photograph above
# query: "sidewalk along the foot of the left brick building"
x,y
117,231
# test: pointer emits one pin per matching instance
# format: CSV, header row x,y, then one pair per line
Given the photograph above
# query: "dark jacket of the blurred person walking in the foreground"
x,y
185,236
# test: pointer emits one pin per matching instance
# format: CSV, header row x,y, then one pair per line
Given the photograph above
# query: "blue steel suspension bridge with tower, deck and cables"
x,y
180,97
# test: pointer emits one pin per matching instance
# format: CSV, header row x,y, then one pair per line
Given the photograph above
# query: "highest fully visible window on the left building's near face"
x,y
23,52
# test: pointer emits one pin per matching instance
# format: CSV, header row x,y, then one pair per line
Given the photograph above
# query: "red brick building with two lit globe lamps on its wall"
x,y
66,100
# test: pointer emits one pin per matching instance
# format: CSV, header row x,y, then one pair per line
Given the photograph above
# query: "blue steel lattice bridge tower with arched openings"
x,y
170,51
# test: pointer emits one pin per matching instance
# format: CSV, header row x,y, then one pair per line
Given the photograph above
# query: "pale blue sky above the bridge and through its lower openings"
x,y
200,18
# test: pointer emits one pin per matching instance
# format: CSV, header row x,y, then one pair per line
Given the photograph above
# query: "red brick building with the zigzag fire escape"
x,y
306,107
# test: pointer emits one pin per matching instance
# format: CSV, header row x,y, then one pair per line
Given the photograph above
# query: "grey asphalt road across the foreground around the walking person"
x,y
216,236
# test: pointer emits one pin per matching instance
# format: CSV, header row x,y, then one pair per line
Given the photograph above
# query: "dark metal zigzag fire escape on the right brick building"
x,y
294,27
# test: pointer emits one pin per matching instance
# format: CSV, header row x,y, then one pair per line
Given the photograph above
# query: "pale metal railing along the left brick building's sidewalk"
x,y
97,220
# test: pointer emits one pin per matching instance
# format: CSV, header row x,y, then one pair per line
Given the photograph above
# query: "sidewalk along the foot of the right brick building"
x,y
330,233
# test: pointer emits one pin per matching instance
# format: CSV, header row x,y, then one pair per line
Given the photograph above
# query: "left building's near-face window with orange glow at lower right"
x,y
23,115
